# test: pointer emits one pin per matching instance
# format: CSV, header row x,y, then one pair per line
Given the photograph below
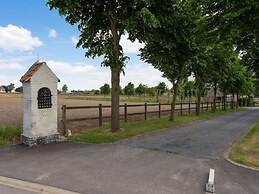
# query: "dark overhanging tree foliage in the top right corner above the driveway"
x,y
238,20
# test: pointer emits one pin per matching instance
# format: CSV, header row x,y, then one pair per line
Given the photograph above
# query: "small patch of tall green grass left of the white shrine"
x,y
10,134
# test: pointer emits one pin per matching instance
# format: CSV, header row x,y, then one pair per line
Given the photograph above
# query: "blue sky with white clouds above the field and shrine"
x,y
30,31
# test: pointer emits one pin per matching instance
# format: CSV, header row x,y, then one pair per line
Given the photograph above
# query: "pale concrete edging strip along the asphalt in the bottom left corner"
x,y
32,187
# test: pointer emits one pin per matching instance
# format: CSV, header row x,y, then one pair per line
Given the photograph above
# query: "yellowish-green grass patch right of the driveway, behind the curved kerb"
x,y
246,151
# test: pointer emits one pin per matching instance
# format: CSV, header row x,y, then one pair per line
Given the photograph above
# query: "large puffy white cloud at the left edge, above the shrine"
x,y
14,38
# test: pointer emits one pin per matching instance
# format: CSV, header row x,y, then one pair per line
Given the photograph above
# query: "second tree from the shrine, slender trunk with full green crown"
x,y
169,47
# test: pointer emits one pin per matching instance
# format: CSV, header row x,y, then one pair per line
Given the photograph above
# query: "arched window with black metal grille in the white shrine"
x,y
44,98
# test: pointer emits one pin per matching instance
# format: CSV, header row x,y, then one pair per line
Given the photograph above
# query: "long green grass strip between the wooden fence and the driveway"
x,y
131,129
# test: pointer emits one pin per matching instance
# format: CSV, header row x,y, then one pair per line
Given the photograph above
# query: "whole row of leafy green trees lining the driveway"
x,y
215,40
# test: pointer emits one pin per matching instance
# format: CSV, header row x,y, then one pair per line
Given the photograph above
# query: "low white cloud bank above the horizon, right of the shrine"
x,y
82,76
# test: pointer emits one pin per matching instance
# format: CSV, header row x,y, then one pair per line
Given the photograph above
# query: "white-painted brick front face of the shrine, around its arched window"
x,y
43,121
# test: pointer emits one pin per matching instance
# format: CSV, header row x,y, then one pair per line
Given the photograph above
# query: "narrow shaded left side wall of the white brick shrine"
x,y
26,108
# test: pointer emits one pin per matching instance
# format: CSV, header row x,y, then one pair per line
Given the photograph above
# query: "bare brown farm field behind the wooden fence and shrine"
x,y
11,111
